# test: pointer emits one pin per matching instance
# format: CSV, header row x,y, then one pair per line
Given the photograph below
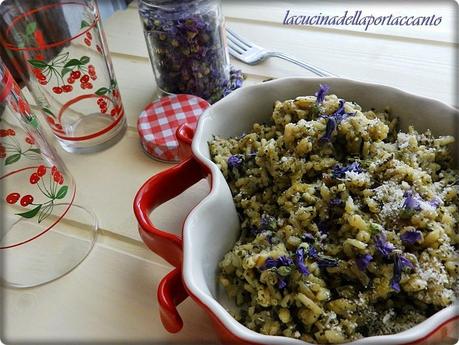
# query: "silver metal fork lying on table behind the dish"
x,y
252,54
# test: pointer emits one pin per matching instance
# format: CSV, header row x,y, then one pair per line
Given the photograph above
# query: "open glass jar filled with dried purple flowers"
x,y
186,43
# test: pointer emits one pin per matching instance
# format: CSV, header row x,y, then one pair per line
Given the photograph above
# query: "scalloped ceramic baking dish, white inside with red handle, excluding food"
x,y
212,227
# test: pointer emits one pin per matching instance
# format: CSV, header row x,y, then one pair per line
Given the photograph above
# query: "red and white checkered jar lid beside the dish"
x,y
159,121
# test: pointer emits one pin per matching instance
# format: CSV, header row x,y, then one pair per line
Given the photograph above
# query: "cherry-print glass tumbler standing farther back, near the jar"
x,y
61,54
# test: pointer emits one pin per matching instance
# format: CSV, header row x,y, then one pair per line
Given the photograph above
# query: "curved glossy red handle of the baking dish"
x,y
154,192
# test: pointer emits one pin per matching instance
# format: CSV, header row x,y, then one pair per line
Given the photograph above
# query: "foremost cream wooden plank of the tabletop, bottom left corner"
x,y
110,297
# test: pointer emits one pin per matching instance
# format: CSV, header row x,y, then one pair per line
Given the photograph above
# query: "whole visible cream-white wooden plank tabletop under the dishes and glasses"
x,y
111,296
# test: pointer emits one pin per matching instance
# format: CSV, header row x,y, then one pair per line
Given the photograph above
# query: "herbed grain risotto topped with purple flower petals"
x,y
348,226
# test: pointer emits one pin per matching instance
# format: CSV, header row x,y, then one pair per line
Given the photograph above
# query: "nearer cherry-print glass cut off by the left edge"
x,y
45,233
